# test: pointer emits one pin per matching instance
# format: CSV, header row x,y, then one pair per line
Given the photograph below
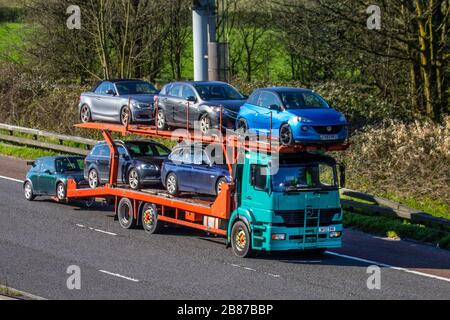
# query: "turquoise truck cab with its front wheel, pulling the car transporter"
x,y
286,202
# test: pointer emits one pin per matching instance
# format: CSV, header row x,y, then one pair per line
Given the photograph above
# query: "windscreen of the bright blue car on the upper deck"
x,y
303,100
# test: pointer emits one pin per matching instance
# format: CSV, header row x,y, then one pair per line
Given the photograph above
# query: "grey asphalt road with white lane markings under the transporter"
x,y
40,240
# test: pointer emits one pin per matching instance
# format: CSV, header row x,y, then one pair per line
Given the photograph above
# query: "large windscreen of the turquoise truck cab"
x,y
291,178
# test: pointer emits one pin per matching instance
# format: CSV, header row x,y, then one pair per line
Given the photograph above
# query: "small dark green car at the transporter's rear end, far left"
x,y
48,176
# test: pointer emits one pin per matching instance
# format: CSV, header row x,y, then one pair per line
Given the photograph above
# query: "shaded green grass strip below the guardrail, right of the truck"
x,y
397,228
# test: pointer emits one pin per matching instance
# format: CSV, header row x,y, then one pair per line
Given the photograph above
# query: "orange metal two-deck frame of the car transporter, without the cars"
x,y
184,212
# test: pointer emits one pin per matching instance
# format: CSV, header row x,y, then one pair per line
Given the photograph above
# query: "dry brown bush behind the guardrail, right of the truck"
x,y
410,160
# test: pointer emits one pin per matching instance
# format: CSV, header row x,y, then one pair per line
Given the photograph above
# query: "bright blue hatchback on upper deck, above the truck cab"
x,y
298,116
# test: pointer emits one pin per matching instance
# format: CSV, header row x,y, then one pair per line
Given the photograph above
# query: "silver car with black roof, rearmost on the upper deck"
x,y
123,101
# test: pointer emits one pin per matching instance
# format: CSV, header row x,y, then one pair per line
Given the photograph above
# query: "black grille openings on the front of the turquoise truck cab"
x,y
297,218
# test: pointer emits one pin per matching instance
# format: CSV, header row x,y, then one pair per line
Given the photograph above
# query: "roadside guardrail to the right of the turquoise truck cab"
x,y
382,206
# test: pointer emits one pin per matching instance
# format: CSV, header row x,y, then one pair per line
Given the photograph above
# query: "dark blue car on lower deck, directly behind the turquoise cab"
x,y
193,168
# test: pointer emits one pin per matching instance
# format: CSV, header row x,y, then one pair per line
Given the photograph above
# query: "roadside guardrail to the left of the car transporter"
x,y
35,142
